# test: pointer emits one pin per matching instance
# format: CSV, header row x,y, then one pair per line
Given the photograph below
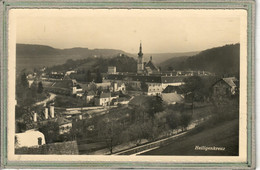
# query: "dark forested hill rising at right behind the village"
x,y
219,60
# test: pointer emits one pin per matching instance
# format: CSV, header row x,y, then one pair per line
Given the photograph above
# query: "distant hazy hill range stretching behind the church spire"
x,y
31,56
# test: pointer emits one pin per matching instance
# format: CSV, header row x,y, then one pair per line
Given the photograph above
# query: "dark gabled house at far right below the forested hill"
x,y
225,88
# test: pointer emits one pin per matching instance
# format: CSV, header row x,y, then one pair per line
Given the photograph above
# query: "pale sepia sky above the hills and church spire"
x,y
160,31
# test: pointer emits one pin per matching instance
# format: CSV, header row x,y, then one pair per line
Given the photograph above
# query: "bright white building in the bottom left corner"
x,y
29,138
